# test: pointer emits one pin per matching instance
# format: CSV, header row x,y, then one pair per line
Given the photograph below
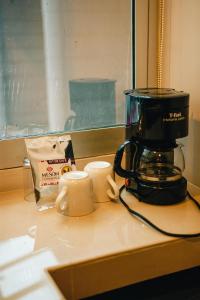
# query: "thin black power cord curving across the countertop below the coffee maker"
x,y
138,215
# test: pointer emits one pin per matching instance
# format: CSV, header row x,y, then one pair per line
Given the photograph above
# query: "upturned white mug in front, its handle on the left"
x,y
75,194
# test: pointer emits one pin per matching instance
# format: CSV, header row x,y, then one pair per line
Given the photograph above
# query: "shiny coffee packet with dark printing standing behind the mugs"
x,y
50,157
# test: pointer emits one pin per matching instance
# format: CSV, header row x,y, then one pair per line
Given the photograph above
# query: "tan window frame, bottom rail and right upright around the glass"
x,y
104,141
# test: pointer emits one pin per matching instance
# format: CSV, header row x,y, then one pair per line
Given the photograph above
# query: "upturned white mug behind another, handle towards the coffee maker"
x,y
101,173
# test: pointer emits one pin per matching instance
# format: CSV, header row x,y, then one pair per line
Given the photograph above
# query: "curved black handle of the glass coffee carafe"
x,y
118,159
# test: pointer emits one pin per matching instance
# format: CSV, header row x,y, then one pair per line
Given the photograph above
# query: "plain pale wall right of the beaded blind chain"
x,y
182,70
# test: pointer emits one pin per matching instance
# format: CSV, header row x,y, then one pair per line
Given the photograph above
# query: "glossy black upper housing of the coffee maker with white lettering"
x,y
157,114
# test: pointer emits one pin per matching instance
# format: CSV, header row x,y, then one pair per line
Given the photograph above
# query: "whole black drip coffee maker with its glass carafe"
x,y
156,117
